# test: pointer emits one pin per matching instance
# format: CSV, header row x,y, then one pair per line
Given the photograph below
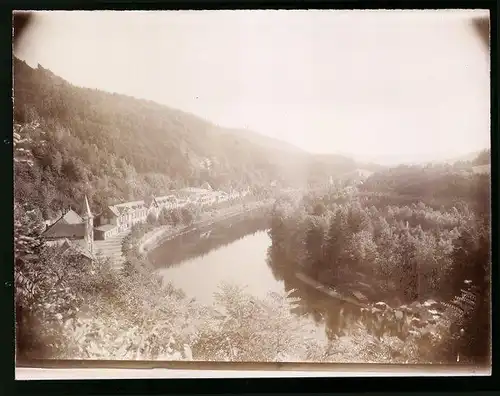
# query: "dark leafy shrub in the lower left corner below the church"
x,y
59,279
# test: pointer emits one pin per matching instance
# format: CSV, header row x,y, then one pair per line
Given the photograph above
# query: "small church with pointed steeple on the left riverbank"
x,y
74,233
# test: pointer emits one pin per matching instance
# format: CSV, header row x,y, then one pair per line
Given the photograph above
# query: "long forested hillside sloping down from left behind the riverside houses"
x,y
114,147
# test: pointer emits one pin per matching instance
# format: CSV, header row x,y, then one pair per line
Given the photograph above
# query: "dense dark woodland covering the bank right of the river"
x,y
406,235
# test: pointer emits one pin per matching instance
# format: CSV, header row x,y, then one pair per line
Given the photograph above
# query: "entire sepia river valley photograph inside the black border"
x,y
253,186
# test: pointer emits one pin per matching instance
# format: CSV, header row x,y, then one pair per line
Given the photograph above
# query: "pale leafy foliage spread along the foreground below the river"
x,y
102,314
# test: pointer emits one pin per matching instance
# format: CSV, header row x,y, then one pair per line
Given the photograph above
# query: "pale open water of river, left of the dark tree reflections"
x,y
233,251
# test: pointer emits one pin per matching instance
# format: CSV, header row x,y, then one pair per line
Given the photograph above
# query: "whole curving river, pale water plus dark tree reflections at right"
x,y
237,251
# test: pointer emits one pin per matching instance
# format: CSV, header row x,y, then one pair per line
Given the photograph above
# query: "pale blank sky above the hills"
x,y
387,86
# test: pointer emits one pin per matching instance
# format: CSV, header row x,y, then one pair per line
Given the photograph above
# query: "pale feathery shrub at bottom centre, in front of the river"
x,y
246,328
